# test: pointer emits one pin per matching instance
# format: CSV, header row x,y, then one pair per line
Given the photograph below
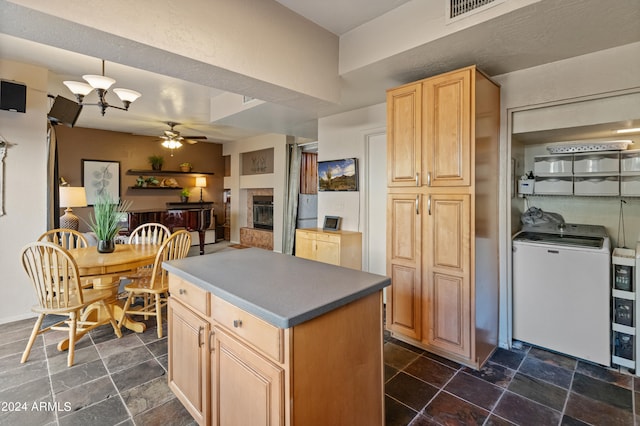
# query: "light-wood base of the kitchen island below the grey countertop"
x,y
229,367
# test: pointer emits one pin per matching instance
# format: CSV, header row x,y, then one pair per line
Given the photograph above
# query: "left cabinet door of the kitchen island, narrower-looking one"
x,y
188,373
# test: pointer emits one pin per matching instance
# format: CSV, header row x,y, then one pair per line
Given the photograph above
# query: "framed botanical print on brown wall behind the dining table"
x,y
101,177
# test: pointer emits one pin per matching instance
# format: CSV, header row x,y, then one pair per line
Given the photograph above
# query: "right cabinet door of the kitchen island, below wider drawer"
x,y
247,388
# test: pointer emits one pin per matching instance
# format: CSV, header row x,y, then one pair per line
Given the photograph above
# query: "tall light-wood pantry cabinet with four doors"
x,y
442,214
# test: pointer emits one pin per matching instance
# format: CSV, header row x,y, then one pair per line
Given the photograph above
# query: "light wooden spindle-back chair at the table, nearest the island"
x,y
156,284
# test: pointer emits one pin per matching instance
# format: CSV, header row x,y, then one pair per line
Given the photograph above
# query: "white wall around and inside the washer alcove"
x,y
599,73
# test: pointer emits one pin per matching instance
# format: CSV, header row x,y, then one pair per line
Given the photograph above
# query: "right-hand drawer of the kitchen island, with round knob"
x,y
255,331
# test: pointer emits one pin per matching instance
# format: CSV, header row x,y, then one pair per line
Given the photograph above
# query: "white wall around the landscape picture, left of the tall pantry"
x,y
344,136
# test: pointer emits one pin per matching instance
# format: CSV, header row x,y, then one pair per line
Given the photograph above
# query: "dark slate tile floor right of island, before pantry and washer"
x,y
515,387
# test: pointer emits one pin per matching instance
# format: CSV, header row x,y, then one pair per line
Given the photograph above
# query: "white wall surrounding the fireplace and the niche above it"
x,y
238,184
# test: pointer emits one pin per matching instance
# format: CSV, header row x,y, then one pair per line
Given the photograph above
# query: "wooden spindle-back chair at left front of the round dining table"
x,y
54,275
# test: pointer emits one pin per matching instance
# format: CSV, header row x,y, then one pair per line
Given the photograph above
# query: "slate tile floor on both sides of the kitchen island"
x,y
123,382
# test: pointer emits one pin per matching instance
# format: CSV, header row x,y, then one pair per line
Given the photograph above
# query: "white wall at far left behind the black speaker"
x,y
25,190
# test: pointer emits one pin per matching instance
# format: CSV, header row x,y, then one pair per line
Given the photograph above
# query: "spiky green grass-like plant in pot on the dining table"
x,y
105,221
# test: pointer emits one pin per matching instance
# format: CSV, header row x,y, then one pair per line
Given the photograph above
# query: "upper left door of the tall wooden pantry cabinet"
x,y
404,135
